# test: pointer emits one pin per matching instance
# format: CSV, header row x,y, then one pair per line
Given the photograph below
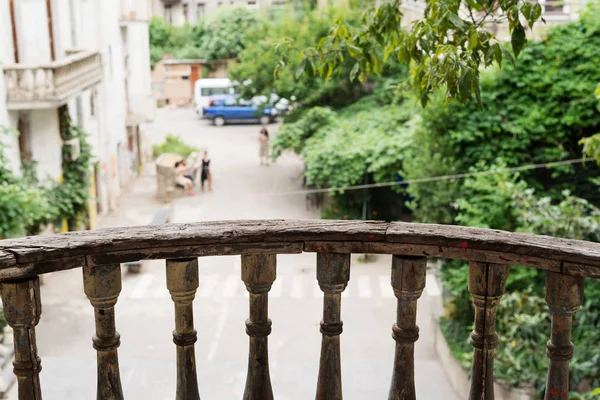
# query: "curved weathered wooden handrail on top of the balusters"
x,y
36,255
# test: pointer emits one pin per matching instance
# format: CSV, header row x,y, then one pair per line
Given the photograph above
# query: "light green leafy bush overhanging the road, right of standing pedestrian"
x,y
340,149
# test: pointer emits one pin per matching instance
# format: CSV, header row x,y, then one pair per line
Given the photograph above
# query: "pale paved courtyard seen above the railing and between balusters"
x,y
242,189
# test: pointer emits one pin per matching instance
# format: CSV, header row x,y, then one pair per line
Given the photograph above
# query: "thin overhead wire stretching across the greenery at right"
x,y
434,178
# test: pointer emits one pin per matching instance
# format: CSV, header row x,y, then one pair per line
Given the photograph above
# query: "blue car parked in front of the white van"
x,y
226,108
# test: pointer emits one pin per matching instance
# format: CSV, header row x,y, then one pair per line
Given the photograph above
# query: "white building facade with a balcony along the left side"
x,y
92,55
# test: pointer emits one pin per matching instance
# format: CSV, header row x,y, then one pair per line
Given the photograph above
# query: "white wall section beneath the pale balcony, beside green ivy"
x,y
46,144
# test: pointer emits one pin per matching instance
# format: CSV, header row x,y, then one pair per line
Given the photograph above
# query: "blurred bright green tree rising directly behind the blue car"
x,y
258,62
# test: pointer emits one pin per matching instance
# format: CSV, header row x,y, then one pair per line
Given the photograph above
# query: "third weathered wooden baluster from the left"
x,y
182,282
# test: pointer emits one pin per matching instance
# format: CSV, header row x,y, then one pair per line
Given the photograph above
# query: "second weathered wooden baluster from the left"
x,y
102,285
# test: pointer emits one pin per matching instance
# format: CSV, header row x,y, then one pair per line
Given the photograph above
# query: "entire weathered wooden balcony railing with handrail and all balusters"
x,y
100,252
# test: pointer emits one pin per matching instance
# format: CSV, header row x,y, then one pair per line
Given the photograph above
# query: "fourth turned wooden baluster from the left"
x,y
258,273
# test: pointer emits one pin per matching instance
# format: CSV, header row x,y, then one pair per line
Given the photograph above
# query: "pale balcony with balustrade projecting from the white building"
x,y
51,85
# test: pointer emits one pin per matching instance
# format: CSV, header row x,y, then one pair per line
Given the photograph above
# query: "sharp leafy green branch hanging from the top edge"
x,y
445,48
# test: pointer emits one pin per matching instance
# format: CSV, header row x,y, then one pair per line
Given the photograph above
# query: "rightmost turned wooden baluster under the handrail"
x,y
564,295
